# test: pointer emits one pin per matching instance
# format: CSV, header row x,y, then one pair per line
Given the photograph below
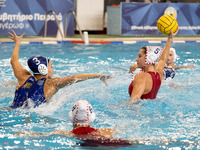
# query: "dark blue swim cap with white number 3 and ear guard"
x,y
38,65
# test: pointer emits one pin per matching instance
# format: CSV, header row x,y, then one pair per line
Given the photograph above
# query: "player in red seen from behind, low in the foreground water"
x,y
82,115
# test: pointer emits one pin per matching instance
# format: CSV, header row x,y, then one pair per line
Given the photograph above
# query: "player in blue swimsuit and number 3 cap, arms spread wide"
x,y
33,90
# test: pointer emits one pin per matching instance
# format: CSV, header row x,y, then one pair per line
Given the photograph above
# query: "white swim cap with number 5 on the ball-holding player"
x,y
152,54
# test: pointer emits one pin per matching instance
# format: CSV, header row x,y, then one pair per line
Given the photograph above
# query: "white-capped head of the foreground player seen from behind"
x,y
82,113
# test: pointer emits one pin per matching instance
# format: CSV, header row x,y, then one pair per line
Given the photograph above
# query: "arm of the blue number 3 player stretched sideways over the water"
x,y
62,82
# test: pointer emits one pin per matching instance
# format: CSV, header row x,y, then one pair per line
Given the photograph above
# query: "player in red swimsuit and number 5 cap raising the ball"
x,y
147,83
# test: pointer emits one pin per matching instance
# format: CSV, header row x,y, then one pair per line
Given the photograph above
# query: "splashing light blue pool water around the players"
x,y
171,121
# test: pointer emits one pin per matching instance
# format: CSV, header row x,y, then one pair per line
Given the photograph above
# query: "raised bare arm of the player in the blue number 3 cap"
x,y
19,72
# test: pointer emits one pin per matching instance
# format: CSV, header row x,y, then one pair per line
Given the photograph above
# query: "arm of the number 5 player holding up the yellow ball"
x,y
165,54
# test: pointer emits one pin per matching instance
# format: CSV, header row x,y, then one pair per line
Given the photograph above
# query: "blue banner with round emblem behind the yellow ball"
x,y
141,18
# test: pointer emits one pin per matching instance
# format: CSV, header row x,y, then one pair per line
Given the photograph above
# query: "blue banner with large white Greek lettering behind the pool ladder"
x,y
28,16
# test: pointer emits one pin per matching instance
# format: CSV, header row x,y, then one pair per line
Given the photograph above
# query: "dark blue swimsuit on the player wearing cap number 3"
x,y
30,94
